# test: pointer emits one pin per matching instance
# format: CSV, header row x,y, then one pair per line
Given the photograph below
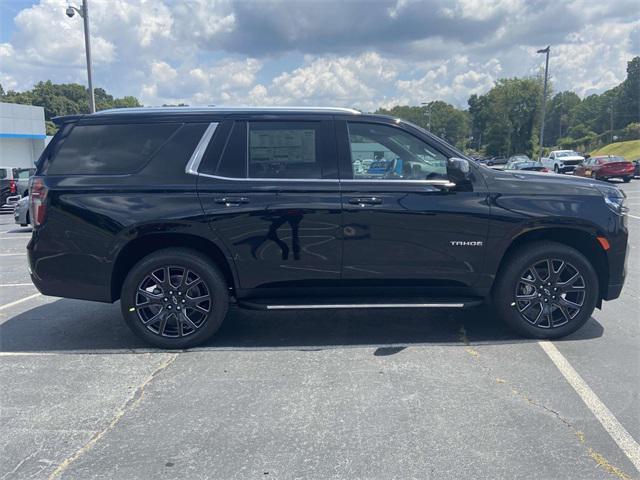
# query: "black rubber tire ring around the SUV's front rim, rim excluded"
x,y
518,262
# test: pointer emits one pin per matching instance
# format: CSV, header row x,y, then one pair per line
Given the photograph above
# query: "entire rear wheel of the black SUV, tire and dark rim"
x,y
153,315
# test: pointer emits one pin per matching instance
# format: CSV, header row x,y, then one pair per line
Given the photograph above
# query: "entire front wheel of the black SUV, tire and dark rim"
x,y
536,312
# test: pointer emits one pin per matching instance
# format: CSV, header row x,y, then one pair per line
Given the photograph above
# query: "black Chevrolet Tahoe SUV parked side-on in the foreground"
x,y
179,212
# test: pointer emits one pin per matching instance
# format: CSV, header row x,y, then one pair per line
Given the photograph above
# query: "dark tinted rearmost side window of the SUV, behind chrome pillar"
x,y
109,149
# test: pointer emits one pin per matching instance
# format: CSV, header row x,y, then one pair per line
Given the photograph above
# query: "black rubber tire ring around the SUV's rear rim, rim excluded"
x,y
176,257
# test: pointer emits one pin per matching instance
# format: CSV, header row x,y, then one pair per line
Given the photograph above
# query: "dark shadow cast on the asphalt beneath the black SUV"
x,y
73,325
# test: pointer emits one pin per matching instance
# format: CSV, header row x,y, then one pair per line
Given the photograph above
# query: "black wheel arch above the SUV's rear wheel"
x,y
142,246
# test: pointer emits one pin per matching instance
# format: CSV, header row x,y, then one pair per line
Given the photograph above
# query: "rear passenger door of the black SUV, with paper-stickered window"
x,y
270,191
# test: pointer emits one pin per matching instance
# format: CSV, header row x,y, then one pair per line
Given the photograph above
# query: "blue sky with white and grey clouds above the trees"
x,y
349,53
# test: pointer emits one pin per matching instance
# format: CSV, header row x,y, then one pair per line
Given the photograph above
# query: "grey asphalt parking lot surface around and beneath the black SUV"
x,y
318,395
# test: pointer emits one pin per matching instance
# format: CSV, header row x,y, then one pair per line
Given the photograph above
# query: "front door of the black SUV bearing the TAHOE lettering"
x,y
400,229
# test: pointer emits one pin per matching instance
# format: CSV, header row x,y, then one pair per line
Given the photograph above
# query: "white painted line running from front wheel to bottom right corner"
x,y
614,428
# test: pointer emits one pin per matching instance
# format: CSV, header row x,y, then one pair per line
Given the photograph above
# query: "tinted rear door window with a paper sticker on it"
x,y
284,150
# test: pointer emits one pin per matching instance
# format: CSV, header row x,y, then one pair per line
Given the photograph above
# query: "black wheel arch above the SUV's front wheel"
x,y
583,241
